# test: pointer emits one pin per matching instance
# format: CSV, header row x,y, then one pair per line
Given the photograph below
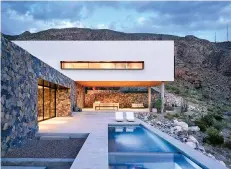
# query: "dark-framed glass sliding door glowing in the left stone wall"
x,y
46,100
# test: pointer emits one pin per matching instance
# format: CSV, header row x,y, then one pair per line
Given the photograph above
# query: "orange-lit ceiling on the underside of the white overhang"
x,y
119,83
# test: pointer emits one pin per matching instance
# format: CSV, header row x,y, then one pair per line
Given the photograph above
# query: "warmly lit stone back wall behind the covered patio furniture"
x,y
125,100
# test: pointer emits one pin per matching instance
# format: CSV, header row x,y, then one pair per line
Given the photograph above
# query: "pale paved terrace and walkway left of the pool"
x,y
94,153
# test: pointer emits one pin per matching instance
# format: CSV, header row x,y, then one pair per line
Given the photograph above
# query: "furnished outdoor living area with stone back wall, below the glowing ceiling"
x,y
111,99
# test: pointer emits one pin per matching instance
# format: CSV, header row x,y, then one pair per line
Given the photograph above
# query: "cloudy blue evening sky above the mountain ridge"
x,y
201,19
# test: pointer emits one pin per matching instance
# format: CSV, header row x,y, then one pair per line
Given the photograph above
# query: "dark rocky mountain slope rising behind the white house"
x,y
203,68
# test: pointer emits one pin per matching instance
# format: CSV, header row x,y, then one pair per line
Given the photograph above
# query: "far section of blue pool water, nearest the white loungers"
x,y
136,139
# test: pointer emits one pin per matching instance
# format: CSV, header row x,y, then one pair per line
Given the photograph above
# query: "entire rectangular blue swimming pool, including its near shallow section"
x,y
136,147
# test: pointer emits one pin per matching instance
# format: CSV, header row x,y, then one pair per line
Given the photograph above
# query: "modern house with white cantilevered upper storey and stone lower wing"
x,y
44,79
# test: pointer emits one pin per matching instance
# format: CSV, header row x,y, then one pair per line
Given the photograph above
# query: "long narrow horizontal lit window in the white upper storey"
x,y
102,65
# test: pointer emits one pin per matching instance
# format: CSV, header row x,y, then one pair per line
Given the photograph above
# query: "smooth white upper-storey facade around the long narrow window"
x,y
158,57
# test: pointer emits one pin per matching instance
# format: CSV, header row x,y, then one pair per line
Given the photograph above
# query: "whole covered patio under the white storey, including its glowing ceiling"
x,y
101,96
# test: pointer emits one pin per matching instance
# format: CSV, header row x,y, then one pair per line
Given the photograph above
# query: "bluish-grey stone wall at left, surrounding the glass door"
x,y
20,72
